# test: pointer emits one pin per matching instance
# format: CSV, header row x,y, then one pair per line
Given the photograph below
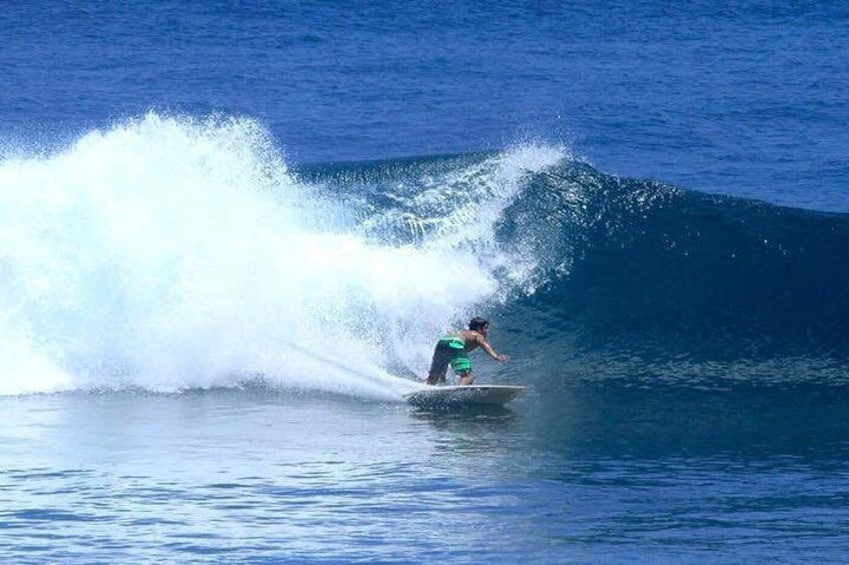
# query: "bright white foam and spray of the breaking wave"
x,y
169,253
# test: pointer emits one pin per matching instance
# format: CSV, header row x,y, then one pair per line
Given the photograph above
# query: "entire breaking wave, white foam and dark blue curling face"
x,y
171,253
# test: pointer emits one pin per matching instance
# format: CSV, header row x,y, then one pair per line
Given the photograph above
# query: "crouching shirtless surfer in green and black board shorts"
x,y
453,349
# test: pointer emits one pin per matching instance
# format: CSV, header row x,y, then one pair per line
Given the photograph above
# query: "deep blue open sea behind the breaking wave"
x,y
736,98
